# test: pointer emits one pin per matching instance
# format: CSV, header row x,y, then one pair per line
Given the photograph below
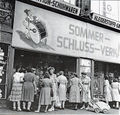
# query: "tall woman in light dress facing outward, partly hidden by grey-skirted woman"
x,y
53,79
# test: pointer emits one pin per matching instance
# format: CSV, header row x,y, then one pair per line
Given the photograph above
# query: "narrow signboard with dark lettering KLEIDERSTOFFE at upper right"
x,y
105,21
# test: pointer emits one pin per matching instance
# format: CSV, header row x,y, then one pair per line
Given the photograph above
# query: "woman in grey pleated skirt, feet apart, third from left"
x,y
45,93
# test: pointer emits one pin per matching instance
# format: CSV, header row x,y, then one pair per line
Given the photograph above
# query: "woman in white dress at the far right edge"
x,y
115,92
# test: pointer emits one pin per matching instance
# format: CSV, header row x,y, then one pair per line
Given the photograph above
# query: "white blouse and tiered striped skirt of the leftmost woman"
x,y
16,92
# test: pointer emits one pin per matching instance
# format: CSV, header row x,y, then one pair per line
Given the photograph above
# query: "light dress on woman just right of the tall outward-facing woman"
x,y
62,80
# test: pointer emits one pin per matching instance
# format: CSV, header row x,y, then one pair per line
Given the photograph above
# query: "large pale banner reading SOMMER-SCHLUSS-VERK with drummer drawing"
x,y
41,30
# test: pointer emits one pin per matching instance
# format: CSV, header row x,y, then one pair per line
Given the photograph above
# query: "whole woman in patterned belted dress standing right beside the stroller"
x,y
86,90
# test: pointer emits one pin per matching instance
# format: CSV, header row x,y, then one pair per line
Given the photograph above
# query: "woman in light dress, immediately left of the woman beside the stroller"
x,y
75,84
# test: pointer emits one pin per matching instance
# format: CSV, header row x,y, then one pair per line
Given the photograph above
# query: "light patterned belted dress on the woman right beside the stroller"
x,y
86,89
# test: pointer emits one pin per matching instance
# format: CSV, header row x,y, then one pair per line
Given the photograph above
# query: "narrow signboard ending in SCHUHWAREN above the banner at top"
x,y
60,5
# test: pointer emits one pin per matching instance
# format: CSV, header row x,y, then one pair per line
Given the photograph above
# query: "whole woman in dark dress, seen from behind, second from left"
x,y
29,89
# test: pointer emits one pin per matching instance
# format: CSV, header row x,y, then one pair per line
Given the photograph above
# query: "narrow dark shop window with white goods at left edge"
x,y
3,68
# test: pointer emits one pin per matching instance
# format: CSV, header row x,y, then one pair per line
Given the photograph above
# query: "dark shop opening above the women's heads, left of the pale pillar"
x,y
43,60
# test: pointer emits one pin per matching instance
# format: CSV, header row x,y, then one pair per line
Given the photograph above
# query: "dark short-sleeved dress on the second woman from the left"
x,y
29,87
